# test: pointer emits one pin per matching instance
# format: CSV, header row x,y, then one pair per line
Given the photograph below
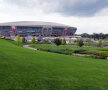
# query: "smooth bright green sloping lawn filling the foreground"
x,y
21,68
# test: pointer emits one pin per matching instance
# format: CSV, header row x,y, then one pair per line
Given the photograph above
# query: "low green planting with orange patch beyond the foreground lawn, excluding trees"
x,y
68,49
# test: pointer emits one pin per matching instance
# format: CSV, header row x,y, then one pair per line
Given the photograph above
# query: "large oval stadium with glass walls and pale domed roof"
x,y
36,28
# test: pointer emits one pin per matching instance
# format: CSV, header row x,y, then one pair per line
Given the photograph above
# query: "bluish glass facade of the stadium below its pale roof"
x,y
37,31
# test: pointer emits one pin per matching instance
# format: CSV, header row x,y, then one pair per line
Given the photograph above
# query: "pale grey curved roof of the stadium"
x,y
33,23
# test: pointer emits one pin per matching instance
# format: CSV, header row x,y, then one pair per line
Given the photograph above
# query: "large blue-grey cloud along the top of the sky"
x,y
64,7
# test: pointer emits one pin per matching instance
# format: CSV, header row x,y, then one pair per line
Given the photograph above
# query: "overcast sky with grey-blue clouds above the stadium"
x,y
89,16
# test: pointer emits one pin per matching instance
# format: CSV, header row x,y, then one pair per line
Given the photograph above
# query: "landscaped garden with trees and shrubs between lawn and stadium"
x,y
79,47
